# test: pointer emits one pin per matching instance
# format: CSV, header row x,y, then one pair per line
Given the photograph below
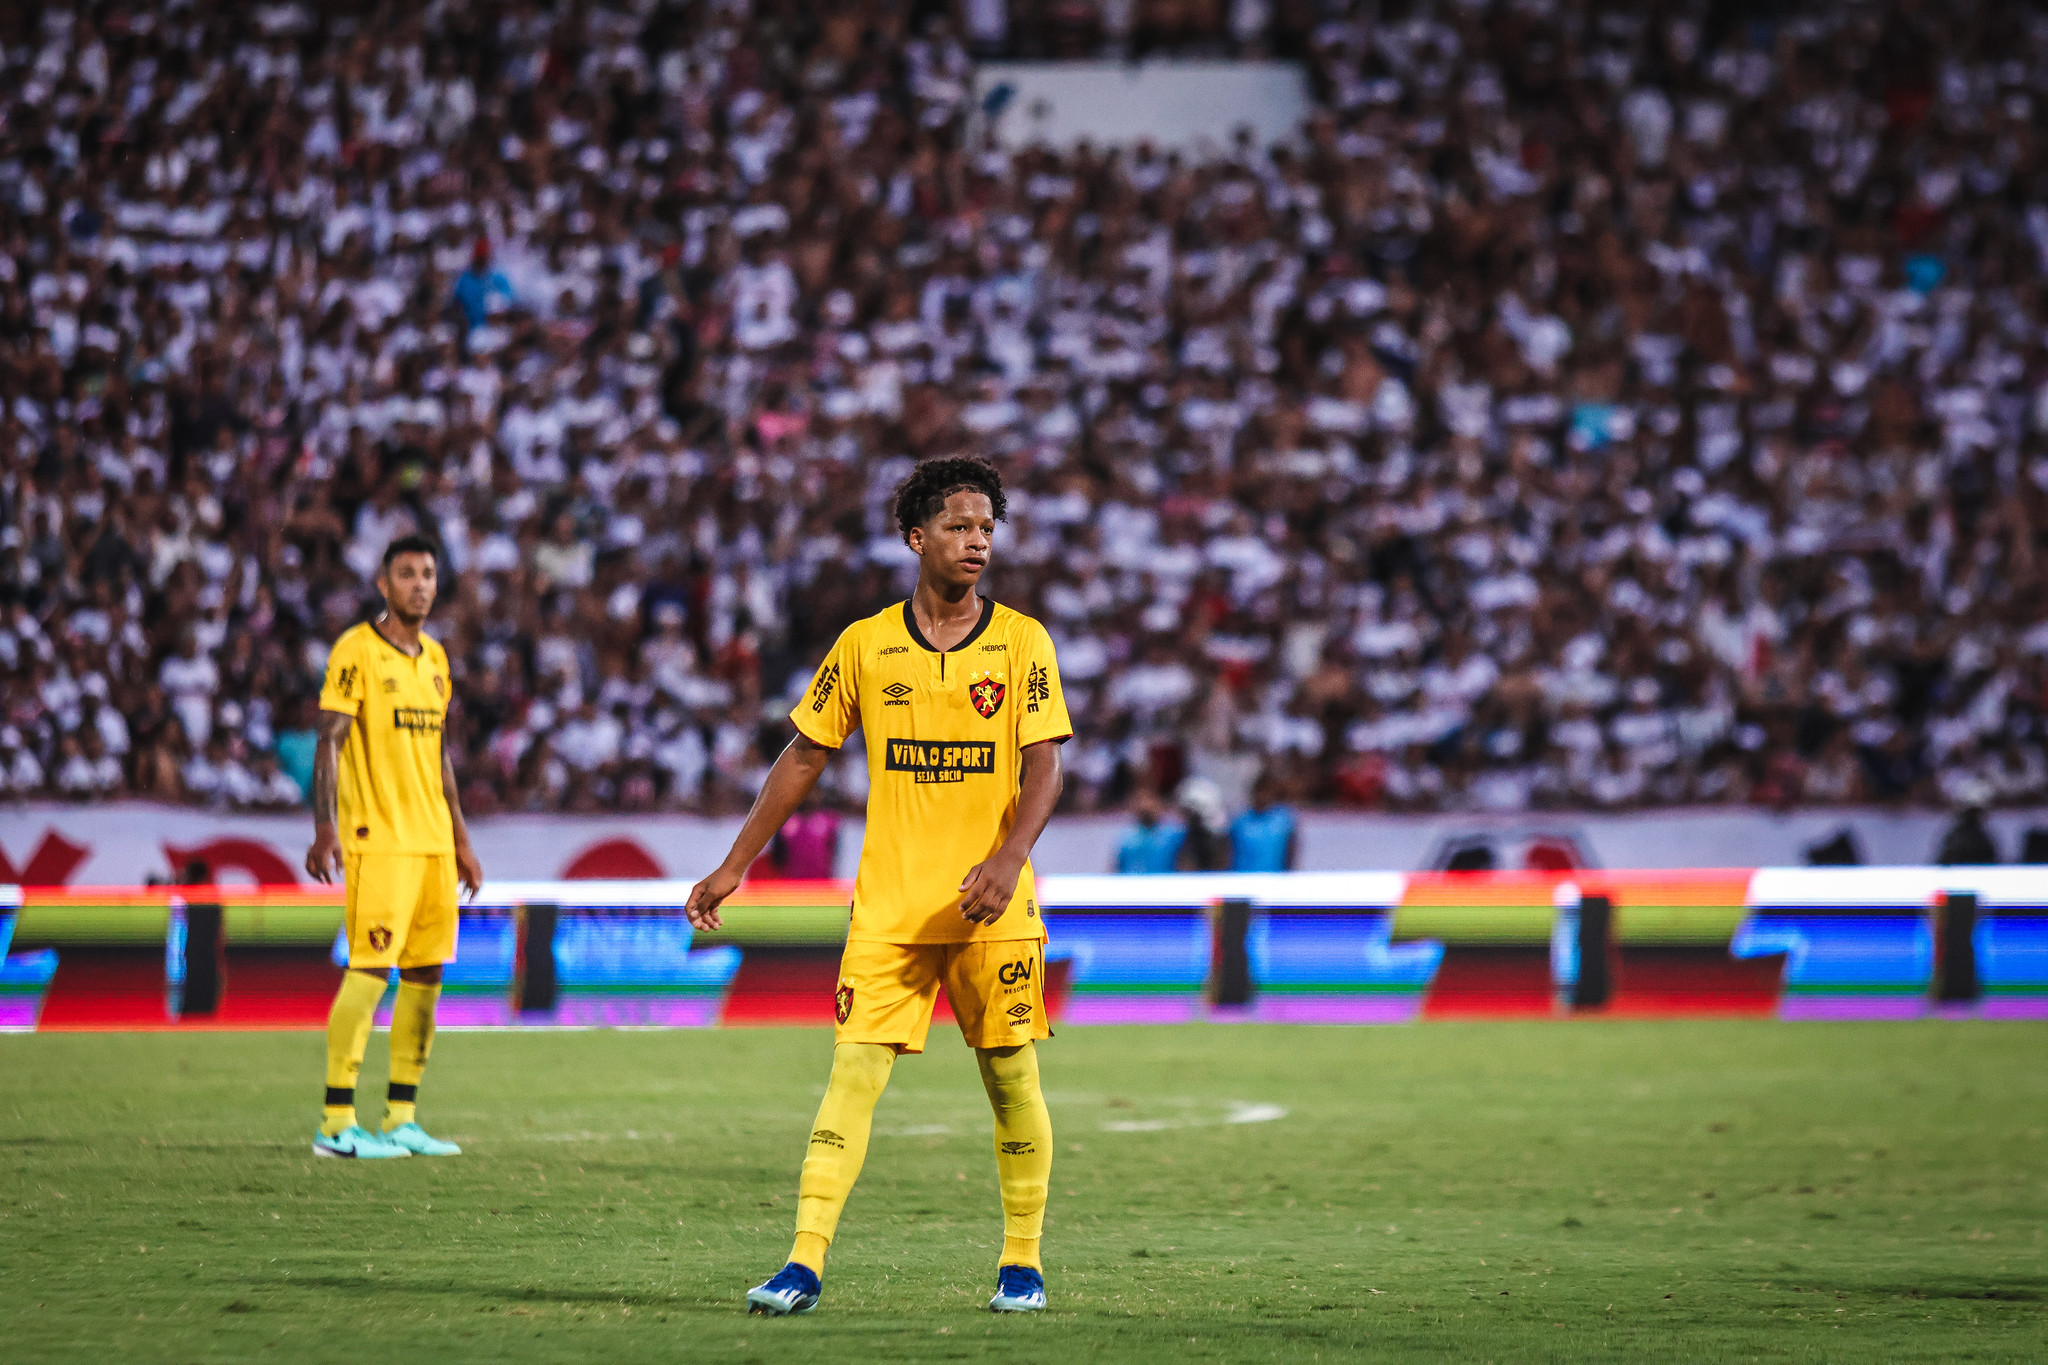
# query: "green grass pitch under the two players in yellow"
x,y
1521,1192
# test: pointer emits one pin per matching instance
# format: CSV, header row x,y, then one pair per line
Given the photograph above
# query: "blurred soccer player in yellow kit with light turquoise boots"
x,y
388,822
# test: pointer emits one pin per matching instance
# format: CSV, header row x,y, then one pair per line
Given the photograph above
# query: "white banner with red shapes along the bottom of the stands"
x,y
134,842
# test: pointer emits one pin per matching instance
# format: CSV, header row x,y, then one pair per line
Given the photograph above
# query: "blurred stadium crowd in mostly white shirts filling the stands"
x,y
1596,408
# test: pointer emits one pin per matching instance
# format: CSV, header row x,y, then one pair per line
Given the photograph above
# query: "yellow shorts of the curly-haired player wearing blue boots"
x,y
996,989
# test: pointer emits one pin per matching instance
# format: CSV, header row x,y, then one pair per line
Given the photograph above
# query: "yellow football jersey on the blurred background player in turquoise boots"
x,y
390,797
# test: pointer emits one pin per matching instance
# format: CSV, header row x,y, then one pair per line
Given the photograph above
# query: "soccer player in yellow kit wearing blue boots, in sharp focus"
x,y
964,717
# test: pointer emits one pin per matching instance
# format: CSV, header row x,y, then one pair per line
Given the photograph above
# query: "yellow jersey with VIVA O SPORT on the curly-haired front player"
x,y
945,738
